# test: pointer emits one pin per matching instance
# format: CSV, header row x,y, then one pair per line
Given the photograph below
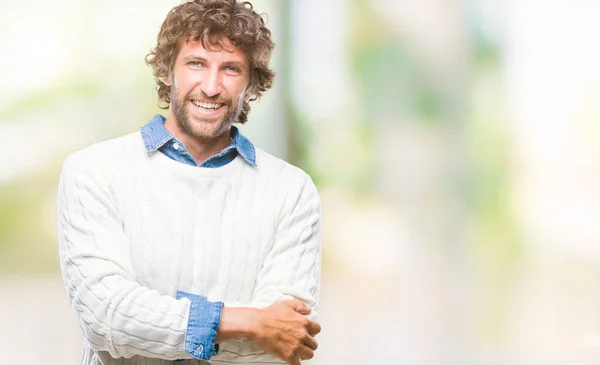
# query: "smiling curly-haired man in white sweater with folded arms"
x,y
183,242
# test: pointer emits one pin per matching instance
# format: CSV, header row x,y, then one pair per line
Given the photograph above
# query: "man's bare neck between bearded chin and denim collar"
x,y
200,148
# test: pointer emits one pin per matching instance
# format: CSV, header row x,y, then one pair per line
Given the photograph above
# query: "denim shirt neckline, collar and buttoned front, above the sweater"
x,y
157,137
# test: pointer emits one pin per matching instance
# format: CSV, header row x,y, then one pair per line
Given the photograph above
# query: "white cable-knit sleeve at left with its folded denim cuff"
x,y
114,312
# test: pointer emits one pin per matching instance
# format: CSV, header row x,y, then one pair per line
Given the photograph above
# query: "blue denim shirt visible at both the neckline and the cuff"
x,y
205,316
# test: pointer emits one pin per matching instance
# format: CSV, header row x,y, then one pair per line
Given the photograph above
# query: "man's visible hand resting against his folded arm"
x,y
284,332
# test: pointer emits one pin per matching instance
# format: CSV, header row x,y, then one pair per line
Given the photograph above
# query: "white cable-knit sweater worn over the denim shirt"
x,y
134,228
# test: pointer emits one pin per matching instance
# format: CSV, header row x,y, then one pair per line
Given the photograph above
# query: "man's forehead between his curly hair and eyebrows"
x,y
222,50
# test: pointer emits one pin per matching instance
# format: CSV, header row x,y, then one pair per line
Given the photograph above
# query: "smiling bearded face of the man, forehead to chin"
x,y
208,89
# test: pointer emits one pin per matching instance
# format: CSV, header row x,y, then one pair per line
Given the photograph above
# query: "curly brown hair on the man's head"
x,y
208,21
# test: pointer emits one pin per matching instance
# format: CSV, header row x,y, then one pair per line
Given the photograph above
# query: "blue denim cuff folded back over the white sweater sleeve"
x,y
203,323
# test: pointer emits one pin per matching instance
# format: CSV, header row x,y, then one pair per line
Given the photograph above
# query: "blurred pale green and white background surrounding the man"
x,y
455,144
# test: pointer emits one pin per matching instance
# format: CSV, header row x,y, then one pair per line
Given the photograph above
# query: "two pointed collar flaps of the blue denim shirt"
x,y
155,135
